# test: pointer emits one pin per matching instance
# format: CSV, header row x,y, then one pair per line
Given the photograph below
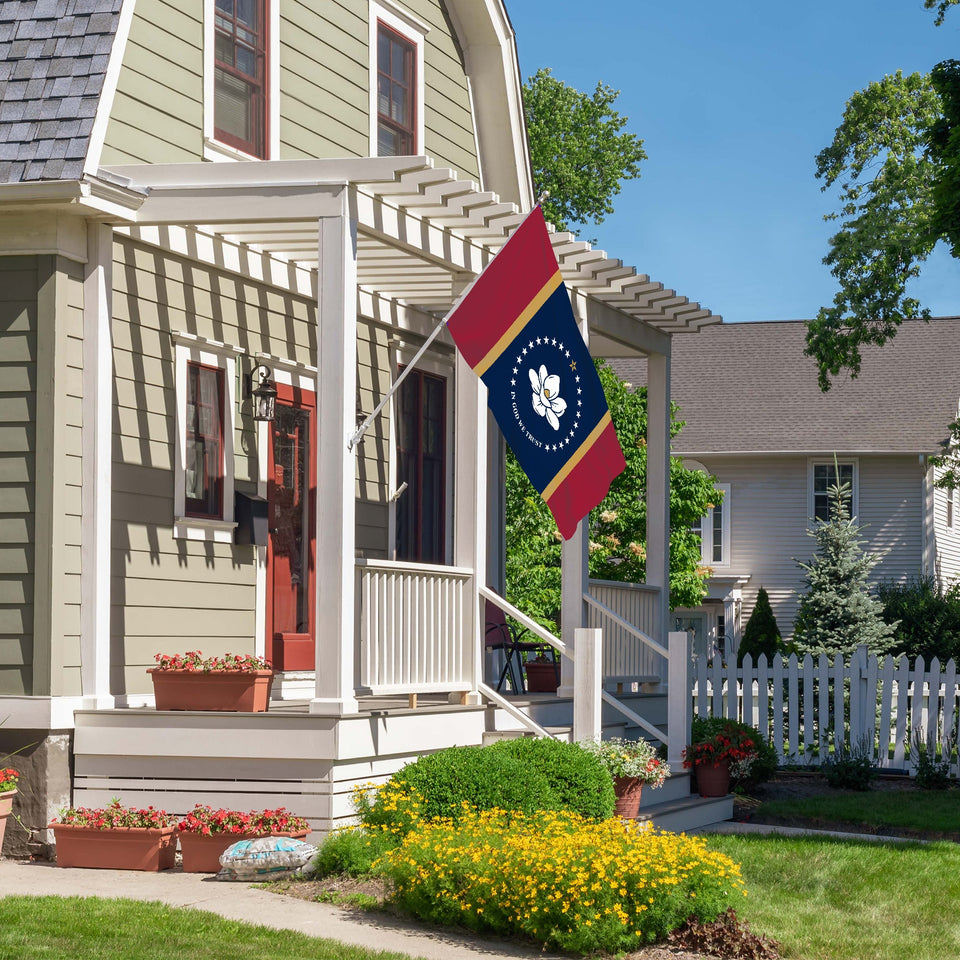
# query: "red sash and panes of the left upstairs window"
x,y
240,75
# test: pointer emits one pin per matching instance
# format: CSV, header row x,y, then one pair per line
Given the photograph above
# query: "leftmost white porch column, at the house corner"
x,y
97,478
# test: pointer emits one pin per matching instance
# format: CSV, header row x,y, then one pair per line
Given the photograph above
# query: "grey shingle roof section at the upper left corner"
x,y
53,58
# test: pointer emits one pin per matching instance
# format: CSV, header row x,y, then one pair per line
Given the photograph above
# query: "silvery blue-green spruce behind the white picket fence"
x,y
837,612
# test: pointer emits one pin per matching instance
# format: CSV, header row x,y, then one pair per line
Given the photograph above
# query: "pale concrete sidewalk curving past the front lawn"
x,y
238,901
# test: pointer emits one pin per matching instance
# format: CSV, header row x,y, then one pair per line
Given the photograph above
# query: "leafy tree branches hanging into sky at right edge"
x,y
896,158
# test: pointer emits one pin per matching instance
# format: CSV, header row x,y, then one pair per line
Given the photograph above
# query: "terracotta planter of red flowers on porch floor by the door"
x,y
234,682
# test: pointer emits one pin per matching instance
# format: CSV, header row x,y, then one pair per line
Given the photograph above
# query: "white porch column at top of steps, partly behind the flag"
x,y
470,509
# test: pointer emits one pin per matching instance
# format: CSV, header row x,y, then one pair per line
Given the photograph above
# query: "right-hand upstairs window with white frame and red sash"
x,y
396,81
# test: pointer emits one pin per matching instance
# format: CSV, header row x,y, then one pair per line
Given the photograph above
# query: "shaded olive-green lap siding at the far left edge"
x,y
18,331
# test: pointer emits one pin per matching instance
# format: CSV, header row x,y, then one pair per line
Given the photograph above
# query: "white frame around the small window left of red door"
x,y
191,349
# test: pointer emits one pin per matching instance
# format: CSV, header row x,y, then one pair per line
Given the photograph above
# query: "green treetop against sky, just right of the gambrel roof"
x,y
577,149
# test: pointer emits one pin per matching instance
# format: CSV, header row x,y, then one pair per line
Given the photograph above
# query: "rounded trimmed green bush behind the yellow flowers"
x,y
524,775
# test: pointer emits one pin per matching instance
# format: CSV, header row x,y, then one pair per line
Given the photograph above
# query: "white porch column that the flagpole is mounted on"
x,y
336,470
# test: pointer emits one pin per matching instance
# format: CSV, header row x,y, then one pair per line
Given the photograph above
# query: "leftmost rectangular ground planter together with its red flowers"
x,y
115,838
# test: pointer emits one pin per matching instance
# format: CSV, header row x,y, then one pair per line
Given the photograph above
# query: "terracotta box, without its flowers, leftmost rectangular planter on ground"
x,y
121,848
